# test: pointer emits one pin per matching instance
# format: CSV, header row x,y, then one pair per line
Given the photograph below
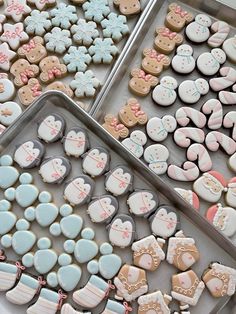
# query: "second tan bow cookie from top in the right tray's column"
x,y
166,41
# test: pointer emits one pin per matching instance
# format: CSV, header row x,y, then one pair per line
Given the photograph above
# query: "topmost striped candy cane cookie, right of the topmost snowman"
x,y
221,30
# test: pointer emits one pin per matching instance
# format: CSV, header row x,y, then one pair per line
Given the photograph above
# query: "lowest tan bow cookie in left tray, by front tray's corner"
x,y
28,93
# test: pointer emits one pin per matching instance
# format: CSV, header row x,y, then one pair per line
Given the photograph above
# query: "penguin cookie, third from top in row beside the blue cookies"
x,y
79,190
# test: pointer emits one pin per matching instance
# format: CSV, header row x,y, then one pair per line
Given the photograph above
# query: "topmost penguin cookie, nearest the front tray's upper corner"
x,y
51,128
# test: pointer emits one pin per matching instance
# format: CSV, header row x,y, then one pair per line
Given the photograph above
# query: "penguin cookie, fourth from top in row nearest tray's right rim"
x,y
119,180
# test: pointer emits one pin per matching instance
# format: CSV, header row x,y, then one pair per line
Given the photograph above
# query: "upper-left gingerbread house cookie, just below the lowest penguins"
x,y
148,253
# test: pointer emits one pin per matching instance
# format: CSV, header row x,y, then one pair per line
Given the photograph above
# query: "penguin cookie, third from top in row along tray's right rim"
x,y
96,161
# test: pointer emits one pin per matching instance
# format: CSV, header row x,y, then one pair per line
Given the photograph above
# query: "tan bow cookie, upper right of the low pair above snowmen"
x,y
132,114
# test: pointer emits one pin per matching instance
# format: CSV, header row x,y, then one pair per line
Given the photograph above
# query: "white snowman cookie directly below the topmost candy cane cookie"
x,y
208,63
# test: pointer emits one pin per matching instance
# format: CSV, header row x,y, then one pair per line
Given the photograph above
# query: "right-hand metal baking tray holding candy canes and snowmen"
x,y
116,92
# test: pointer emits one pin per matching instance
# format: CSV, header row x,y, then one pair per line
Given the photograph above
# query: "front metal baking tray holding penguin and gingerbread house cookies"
x,y
212,245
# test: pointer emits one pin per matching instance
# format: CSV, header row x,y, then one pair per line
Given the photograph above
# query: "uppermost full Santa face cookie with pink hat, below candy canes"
x,y
210,186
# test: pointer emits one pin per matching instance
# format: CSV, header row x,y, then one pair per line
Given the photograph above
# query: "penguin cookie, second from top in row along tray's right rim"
x,y
75,142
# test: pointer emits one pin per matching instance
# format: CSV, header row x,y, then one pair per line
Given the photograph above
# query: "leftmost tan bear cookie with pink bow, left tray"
x,y
23,71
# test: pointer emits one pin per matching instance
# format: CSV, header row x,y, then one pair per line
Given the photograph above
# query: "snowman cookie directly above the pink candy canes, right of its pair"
x,y
191,91
